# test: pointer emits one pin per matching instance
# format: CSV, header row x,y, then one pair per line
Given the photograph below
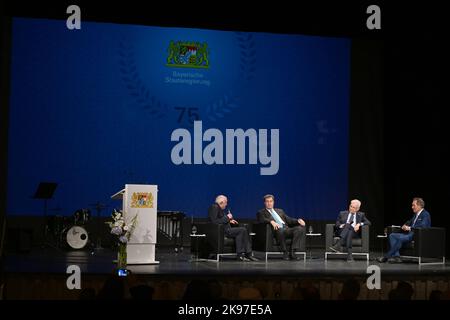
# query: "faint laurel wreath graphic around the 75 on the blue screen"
x,y
214,111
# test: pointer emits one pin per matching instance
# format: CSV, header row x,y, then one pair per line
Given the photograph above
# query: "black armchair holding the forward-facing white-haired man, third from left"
x,y
360,245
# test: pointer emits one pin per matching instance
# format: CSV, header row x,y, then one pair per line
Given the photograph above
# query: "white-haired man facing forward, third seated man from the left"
x,y
348,226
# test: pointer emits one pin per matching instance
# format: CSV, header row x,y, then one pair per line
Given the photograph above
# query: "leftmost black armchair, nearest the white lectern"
x,y
216,244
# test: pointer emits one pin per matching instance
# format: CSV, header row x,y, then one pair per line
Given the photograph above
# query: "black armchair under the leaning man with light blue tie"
x,y
265,241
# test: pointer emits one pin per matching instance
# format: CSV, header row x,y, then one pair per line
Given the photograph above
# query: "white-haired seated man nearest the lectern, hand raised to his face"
x,y
218,215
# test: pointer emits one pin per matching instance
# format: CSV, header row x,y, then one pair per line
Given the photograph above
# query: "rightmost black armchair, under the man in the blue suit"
x,y
427,243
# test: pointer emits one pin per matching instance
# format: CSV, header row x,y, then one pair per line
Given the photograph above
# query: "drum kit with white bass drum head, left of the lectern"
x,y
70,232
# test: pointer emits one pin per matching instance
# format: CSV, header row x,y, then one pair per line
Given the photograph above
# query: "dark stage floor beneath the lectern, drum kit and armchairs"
x,y
52,261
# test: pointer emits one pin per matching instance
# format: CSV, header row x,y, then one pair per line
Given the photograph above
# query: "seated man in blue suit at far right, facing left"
x,y
421,219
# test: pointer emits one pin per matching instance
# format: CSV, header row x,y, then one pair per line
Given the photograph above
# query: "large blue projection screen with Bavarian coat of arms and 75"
x,y
197,112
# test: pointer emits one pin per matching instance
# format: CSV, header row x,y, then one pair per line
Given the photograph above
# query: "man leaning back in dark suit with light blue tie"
x,y
283,226
